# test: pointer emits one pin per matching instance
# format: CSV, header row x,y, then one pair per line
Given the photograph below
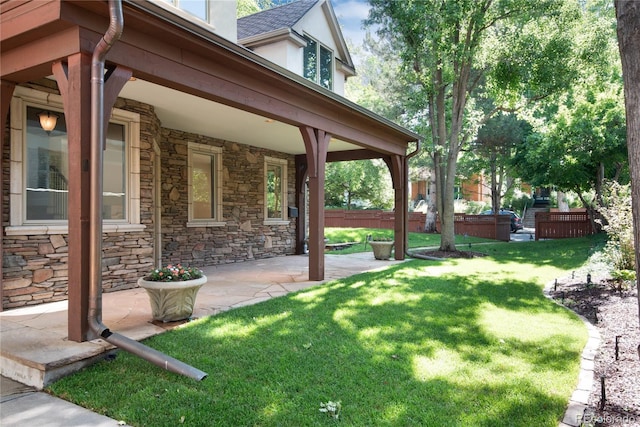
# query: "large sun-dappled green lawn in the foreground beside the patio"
x,y
466,342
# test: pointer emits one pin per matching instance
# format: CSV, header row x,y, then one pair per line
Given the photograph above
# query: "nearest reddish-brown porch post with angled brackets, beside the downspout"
x,y
74,83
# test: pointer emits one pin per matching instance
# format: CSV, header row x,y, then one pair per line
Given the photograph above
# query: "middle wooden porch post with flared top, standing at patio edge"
x,y
316,144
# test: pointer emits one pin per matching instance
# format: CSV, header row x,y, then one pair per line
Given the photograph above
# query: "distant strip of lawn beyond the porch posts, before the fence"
x,y
416,240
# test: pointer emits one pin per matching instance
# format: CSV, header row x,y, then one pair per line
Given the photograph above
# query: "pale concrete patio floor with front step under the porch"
x,y
34,347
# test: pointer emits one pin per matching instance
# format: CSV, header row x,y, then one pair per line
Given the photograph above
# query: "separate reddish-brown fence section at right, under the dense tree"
x,y
561,225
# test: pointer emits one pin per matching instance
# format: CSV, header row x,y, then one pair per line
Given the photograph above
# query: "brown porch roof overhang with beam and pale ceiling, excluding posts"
x,y
177,59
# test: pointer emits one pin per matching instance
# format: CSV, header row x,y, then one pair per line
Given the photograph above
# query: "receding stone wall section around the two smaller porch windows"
x,y
244,236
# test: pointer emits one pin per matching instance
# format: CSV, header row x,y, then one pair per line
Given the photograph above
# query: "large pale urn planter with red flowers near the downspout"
x,y
172,291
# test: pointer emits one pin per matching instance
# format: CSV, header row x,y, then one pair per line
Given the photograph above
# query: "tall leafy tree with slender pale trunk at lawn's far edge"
x,y
515,50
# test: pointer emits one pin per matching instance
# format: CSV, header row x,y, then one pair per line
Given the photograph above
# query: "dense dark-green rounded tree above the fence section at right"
x,y
581,146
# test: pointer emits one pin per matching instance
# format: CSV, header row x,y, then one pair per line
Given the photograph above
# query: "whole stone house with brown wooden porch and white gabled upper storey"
x,y
213,152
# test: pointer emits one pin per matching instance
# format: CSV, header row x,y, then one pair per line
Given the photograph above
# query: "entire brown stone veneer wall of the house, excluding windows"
x,y
35,267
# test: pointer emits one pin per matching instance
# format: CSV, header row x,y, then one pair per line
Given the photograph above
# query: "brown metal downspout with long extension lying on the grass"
x,y
112,35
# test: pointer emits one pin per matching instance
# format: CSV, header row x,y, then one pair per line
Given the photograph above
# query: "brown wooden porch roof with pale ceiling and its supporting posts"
x,y
191,77
